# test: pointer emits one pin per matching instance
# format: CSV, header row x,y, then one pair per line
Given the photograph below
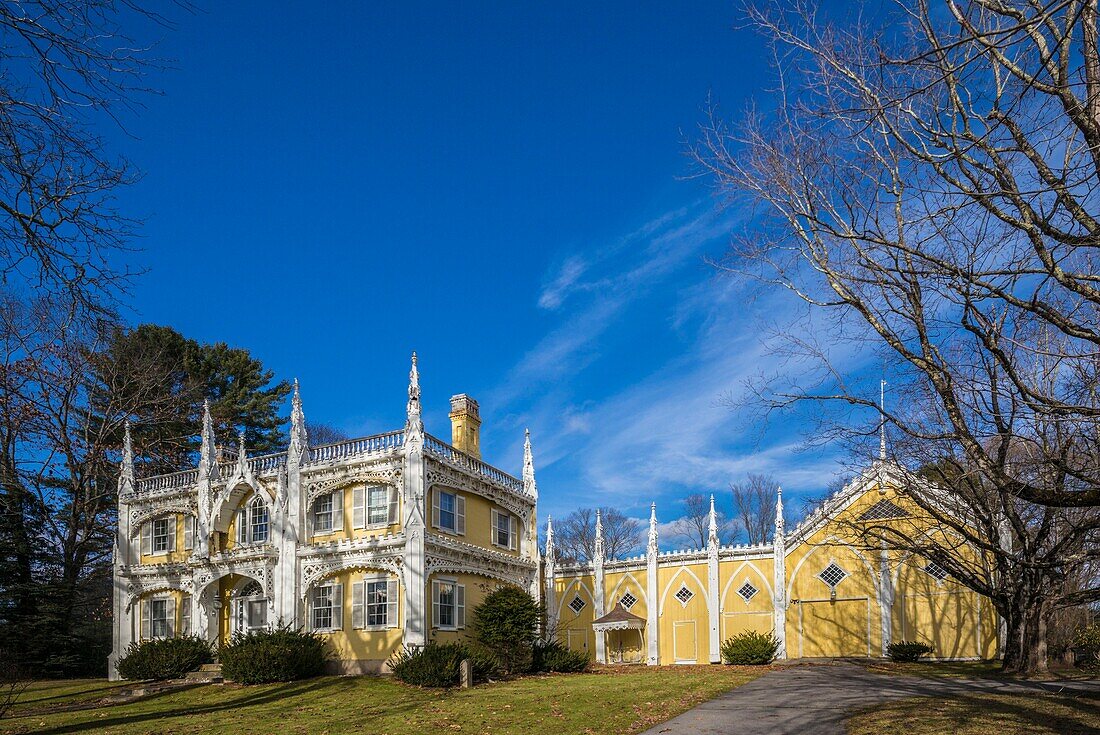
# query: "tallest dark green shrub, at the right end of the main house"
x,y
507,624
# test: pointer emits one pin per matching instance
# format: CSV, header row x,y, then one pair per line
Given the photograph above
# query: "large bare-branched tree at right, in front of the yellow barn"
x,y
928,185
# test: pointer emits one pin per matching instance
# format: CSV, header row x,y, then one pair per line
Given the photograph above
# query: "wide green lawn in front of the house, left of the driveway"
x,y
606,701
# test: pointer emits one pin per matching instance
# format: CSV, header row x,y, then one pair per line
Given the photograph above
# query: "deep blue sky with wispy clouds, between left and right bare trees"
x,y
499,187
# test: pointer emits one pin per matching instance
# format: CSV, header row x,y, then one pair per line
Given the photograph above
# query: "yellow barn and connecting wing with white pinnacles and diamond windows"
x,y
818,588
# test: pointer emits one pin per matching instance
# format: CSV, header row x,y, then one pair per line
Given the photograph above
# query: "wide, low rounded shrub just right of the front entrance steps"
x,y
279,655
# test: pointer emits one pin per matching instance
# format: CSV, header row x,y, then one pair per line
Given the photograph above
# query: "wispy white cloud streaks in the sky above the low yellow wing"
x,y
647,311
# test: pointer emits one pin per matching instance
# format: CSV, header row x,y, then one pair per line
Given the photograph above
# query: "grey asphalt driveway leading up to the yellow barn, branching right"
x,y
817,699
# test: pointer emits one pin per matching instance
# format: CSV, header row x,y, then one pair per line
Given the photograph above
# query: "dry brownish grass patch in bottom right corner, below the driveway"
x,y
1005,715
